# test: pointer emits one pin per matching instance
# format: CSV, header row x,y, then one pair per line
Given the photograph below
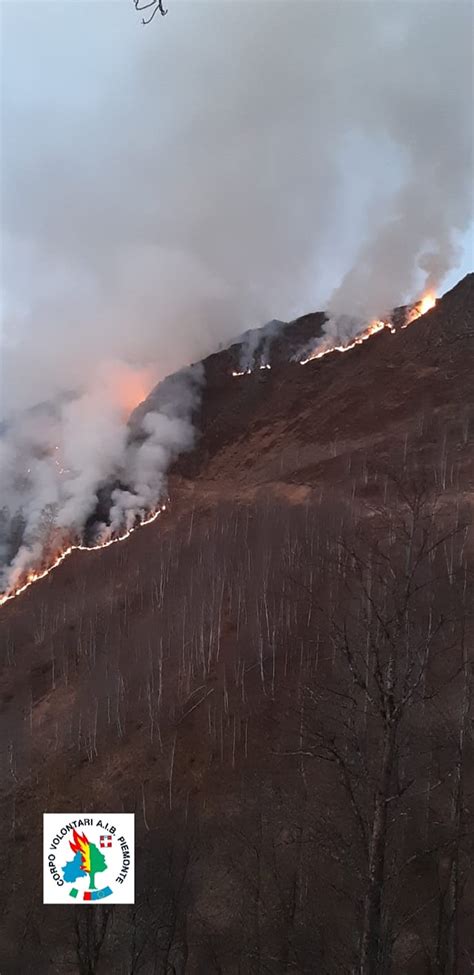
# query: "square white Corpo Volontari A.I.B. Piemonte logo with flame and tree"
x,y
88,858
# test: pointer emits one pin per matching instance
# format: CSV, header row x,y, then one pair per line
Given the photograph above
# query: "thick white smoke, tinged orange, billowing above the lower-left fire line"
x,y
81,445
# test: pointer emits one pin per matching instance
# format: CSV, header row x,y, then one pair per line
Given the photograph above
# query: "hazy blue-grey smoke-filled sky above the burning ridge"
x,y
164,189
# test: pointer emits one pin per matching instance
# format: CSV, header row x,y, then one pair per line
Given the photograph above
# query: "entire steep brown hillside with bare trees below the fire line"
x,y
237,672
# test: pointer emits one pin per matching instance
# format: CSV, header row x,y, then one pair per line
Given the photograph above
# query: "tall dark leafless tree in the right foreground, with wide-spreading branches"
x,y
396,647
